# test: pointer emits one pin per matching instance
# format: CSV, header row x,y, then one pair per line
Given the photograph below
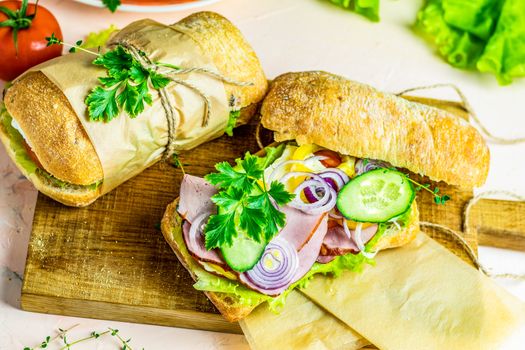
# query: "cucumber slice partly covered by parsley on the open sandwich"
x,y
244,253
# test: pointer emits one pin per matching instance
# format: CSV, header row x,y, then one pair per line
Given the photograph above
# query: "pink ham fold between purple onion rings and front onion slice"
x,y
299,227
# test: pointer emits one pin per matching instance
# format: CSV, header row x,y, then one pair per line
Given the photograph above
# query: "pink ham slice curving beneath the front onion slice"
x,y
307,257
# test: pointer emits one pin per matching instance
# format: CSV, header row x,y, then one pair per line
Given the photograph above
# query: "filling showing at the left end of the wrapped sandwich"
x,y
28,160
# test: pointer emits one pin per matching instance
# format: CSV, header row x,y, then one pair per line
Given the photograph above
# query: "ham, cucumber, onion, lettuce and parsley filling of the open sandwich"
x,y
339,210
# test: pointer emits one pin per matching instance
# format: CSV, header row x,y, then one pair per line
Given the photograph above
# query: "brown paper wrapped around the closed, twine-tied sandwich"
x,y
127,146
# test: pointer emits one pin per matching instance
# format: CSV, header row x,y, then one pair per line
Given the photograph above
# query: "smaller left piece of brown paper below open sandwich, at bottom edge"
x,y
301,325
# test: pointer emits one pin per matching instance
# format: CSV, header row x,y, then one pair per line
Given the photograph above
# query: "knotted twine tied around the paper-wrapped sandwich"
x,y
173,74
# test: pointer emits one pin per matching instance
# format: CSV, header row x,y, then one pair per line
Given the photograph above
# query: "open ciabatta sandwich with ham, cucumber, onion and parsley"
x,y
328,197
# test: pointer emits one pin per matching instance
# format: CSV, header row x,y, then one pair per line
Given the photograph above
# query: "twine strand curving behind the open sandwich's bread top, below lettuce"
x,y
470,111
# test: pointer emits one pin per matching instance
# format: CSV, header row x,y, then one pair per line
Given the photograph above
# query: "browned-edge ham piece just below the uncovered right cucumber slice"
x,y
336,242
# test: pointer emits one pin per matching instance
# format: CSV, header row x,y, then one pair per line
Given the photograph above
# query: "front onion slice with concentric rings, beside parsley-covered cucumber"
x,y
277,266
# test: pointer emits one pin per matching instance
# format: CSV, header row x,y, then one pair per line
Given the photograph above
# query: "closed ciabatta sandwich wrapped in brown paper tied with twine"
x,y
43,118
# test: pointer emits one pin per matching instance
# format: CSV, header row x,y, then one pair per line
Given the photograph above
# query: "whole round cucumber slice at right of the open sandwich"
x,y
376,196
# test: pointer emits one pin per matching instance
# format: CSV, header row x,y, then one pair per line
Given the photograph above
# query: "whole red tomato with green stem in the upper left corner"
x,y
32,45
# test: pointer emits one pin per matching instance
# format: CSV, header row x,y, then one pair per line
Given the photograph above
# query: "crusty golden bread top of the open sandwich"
x,y
355,119
